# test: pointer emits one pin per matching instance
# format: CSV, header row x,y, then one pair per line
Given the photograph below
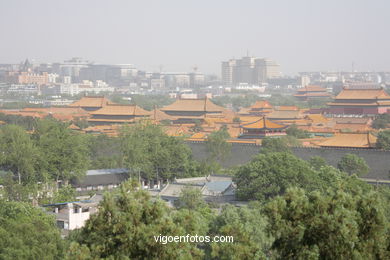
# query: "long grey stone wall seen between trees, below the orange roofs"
x,y
379,161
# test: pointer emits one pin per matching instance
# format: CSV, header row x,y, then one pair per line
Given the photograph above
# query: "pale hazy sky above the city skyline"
x,y
302,35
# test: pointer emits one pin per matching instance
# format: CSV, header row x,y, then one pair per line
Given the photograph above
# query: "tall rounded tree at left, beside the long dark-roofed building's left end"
x,y
65,153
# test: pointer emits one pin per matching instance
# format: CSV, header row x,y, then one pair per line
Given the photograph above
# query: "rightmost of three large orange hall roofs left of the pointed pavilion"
x,y
193,105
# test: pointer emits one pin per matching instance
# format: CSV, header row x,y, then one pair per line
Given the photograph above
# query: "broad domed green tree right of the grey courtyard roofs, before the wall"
x,y
269,175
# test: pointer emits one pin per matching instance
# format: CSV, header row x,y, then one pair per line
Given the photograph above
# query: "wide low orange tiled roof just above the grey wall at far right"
x,y
354,140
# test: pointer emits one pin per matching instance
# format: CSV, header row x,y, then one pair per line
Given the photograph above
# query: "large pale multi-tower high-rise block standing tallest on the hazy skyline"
x,y
249,70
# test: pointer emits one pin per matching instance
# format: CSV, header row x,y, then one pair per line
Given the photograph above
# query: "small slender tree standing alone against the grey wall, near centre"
x,y
217,144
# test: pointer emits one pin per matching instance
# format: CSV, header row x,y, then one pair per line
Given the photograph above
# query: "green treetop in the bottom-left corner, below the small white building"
x,y
27,232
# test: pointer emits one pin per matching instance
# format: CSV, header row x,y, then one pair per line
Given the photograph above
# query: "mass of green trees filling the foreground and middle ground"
x,y
291,208
